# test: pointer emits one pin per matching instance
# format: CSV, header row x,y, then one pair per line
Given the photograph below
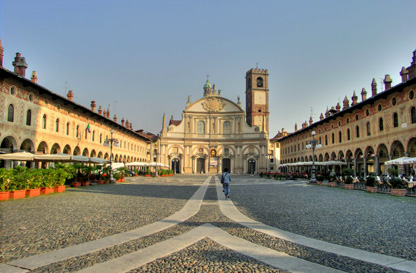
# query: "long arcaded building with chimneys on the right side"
x,y
363,135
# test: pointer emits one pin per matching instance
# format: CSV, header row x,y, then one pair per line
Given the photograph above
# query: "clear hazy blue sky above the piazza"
x,y
144,58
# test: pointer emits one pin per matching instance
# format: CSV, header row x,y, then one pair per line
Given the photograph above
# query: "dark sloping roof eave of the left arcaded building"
x,y
5,73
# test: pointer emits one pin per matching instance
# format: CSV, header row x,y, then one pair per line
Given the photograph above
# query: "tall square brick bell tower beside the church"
x,y
257,98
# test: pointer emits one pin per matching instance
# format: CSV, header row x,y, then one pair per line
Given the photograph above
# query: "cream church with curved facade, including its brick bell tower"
x,y
216,133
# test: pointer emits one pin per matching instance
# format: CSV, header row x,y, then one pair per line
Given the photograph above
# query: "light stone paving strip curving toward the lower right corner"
x,y
229,210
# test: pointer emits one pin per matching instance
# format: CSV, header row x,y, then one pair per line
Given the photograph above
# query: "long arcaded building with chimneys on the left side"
x,y
37,120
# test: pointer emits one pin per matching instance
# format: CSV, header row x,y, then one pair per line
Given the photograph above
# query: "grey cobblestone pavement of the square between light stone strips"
x,y
372,222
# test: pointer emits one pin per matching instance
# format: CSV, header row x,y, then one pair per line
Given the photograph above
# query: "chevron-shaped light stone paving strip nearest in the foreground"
x,y
263,254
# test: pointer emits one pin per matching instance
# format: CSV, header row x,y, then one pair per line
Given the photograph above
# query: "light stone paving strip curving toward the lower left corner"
x,y
190,209
